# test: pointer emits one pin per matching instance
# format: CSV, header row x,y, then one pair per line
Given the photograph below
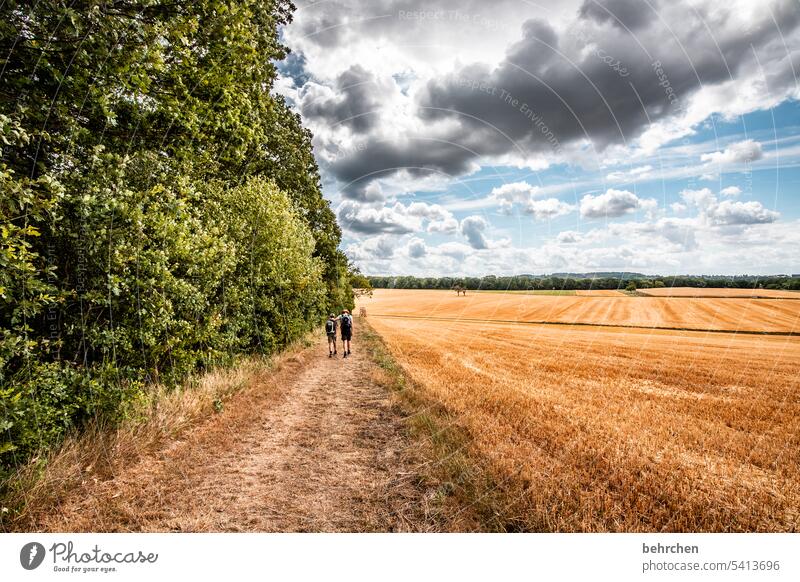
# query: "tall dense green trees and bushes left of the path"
x,y
160,208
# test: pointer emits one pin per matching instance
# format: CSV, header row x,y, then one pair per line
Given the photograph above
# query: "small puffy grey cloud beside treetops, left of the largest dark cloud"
x,y
356,104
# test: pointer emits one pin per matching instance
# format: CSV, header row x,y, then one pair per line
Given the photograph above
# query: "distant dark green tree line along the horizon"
x,y
584,282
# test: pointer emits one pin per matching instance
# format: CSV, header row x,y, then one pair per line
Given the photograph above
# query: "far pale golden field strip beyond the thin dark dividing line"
x,y
755,315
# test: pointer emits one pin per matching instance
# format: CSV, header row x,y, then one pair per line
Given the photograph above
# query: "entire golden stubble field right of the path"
x,y
611,428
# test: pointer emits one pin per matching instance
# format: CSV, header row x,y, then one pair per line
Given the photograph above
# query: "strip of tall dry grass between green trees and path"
x,y
100,452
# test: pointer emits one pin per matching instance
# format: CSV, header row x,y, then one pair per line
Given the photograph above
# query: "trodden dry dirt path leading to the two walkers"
x,y
317,447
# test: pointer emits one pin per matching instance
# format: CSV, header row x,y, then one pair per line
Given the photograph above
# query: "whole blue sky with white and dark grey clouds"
x,y
472,137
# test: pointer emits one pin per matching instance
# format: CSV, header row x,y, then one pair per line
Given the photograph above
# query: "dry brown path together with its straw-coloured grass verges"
x,y
306,443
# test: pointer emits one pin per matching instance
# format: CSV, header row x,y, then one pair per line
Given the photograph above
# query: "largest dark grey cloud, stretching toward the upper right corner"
x,y
588,98
